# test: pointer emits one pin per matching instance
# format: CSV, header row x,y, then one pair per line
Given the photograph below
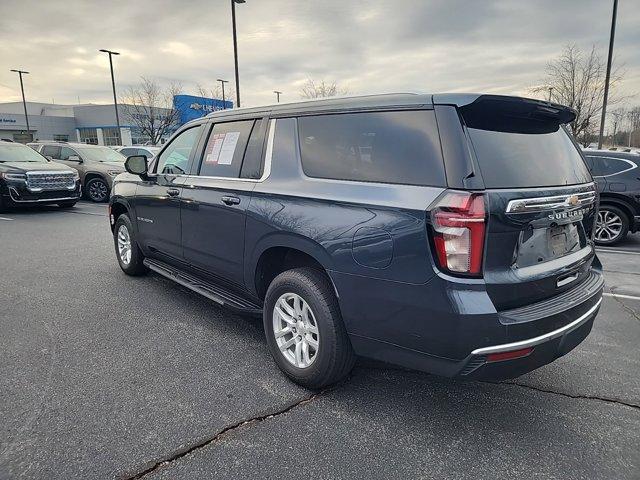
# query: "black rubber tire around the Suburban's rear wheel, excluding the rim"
x,y
334,357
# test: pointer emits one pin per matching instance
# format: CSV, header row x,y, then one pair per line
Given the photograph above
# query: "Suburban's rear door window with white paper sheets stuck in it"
x,y
223,154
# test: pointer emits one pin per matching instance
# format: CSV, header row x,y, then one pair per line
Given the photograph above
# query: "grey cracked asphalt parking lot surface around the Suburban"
x,y
107,376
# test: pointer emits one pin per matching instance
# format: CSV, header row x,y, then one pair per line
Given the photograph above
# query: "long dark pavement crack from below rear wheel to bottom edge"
x,y
153,466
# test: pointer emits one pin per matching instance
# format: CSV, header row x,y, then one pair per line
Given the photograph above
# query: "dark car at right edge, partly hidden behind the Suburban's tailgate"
x,y
618,179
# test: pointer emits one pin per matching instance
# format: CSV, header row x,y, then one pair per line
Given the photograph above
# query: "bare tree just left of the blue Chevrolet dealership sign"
x,y
150,108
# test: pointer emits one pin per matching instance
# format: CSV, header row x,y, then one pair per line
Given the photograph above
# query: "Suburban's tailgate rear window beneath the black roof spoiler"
x,y
517,150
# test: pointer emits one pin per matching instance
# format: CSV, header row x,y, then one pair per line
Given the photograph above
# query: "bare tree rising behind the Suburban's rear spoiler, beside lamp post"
x,y
577,79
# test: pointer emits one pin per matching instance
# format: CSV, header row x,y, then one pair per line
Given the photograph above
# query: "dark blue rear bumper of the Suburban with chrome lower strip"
x,y
456,333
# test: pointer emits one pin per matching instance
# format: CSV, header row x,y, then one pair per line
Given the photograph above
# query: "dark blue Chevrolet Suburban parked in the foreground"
x,y
448,233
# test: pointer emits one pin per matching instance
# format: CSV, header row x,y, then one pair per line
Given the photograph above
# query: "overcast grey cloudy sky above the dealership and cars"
x,y
368,46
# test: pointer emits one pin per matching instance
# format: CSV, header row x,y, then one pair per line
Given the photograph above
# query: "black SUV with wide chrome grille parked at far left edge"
x,y
27,178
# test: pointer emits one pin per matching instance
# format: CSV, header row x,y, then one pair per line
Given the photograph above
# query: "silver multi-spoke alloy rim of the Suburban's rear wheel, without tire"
x,y
296,330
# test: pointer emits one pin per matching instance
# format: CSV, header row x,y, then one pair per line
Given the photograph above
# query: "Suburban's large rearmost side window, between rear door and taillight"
x,y
389,147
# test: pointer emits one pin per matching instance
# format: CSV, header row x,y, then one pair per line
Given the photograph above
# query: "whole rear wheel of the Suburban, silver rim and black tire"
x,y
304,328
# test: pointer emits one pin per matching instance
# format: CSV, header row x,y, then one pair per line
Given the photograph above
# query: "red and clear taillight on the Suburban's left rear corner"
x,y
458,220
